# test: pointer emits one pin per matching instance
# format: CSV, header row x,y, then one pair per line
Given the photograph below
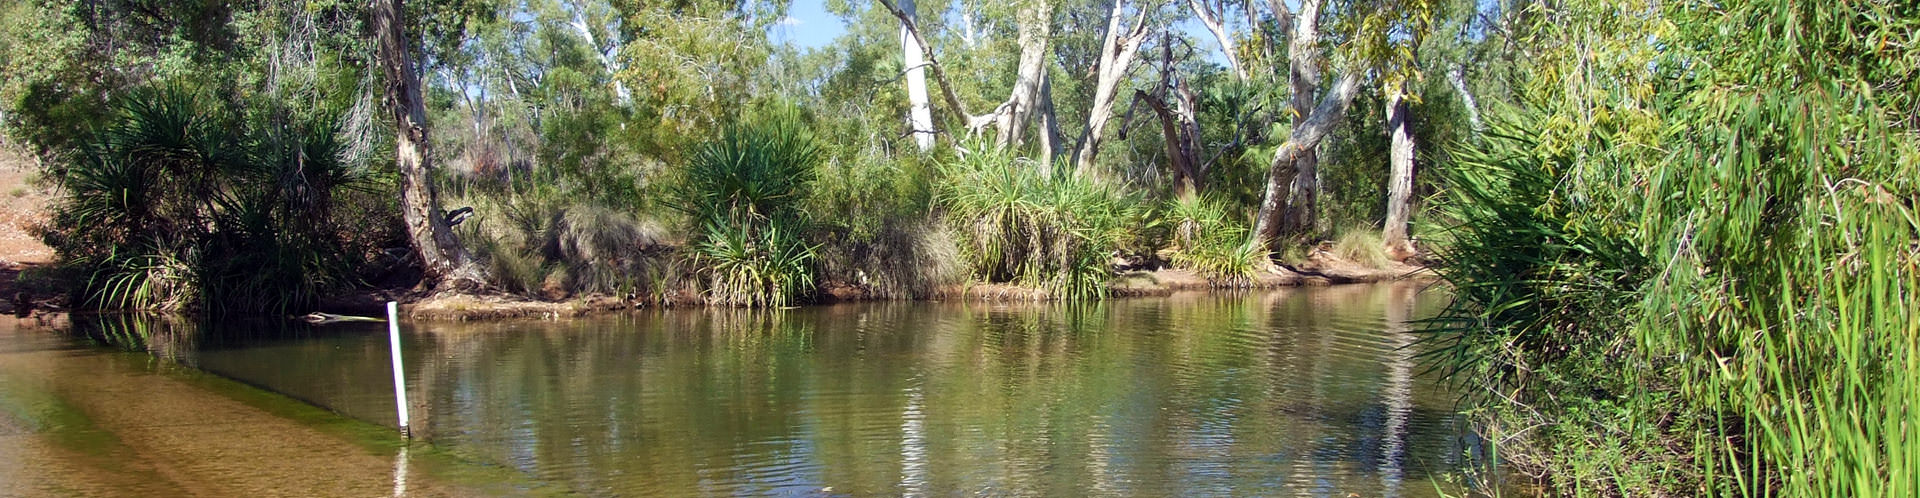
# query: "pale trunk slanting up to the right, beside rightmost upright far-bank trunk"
x,y
1299,145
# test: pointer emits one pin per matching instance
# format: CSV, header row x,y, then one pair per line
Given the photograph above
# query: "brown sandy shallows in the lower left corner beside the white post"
x,y
84,422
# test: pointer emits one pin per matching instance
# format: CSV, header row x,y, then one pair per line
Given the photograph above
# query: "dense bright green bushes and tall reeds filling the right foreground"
x,y
1706,286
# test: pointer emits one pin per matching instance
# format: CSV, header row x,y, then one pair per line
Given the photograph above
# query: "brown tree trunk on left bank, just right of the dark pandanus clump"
x,y
443,257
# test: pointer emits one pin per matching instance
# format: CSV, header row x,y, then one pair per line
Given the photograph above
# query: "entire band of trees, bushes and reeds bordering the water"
x,y
1681,236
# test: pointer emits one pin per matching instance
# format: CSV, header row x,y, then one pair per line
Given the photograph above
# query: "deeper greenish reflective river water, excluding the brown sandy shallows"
x,y
1276,393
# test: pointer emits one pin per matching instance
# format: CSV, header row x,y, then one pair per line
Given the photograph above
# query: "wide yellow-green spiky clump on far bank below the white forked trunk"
x,y
1017,224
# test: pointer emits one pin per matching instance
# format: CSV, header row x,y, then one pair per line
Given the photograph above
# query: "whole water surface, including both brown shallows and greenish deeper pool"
x,y
1280,393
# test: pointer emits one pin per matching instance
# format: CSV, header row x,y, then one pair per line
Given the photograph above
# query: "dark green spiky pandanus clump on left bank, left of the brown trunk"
x,y
172,211
